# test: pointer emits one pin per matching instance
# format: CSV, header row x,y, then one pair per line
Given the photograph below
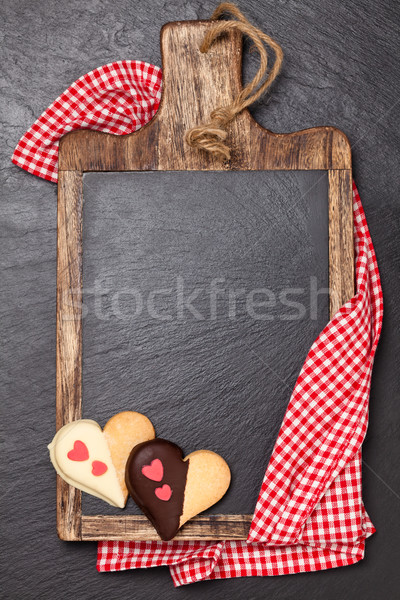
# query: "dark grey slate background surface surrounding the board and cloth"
x,y
340,69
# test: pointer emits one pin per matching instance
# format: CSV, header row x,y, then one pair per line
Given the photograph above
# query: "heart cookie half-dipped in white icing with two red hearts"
x,y
94,461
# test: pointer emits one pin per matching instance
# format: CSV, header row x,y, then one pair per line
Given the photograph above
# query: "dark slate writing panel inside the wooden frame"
x,y
209,375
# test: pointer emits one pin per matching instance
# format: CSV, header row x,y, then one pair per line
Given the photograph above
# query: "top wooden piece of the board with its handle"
x,y
194,84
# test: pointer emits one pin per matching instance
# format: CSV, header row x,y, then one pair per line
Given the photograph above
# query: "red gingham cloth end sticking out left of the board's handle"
x,y
117,98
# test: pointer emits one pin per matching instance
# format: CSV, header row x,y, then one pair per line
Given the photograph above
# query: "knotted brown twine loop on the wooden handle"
x,y
211,136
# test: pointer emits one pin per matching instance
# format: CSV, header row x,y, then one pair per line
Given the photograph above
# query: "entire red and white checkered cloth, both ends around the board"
x,y
309,515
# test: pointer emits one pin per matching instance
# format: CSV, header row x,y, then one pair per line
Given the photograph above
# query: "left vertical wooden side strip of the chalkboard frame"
x,y
69,335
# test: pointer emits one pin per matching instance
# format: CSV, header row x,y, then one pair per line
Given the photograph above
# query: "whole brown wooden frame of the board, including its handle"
x,y
210,80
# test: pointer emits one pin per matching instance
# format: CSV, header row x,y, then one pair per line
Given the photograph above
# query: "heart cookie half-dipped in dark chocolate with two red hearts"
x,y
171,489
